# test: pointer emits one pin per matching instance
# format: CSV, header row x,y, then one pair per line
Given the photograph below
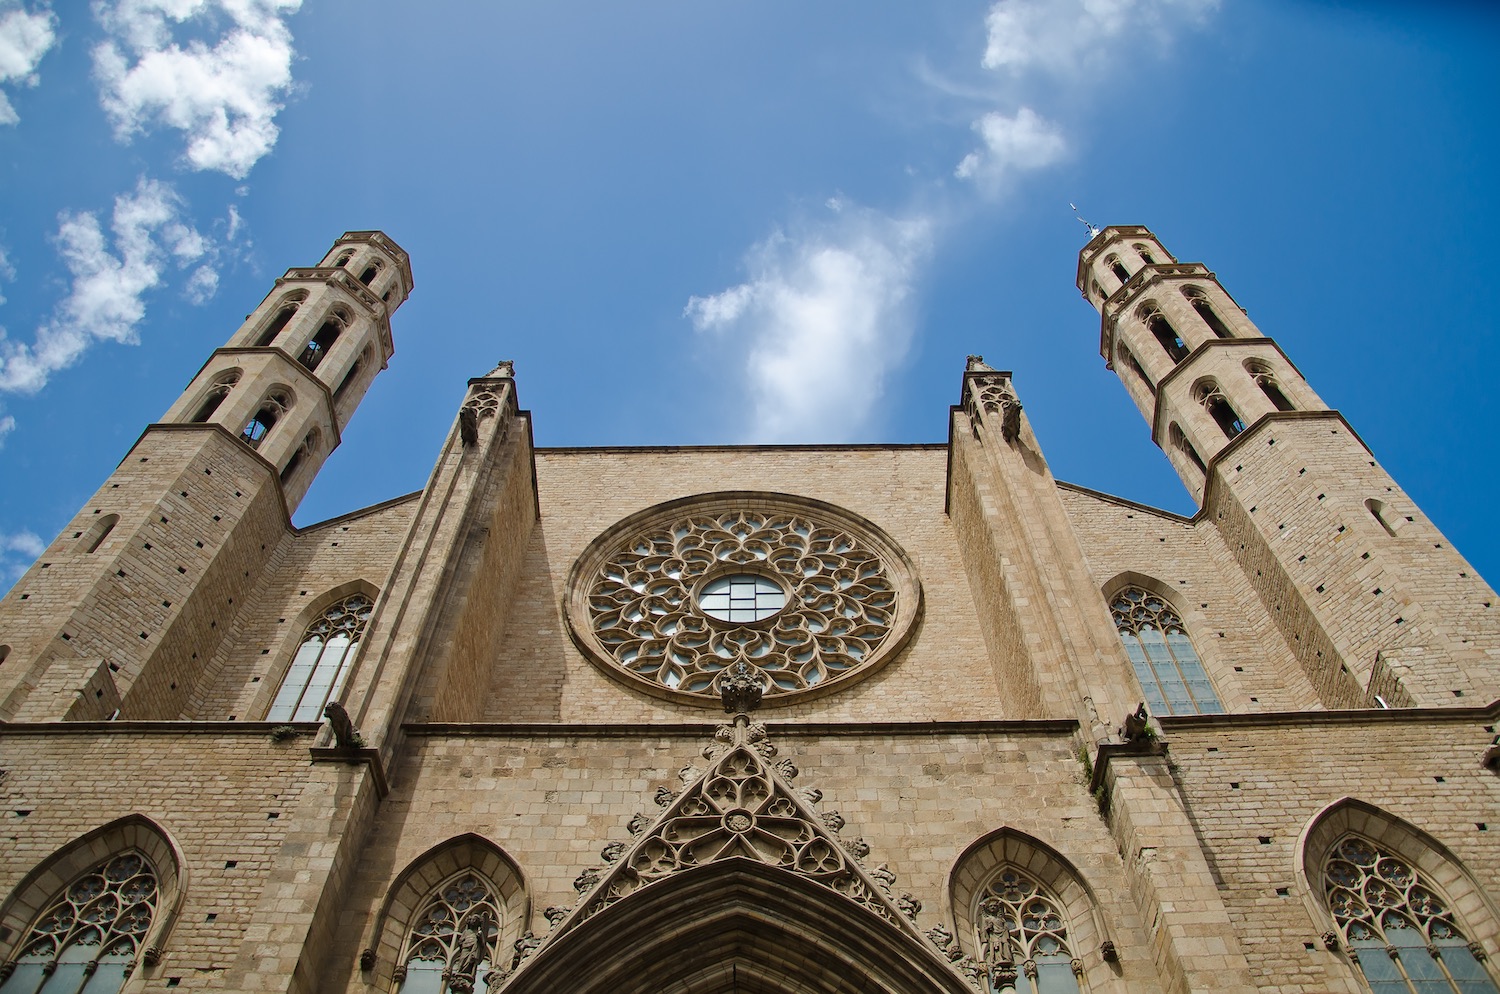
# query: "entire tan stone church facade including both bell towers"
x,y
712,720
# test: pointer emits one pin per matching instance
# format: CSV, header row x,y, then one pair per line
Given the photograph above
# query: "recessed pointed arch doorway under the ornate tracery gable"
x,y
737,927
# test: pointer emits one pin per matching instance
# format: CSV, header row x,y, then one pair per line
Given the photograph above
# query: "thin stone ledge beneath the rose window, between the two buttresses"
x,y
637,729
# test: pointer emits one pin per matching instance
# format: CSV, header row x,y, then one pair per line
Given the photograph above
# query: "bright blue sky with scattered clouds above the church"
x,y
712,223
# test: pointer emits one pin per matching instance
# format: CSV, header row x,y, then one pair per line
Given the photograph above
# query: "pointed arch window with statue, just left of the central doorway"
x,y
452,944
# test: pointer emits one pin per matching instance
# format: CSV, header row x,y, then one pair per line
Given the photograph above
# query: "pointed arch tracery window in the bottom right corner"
x,y
1400,930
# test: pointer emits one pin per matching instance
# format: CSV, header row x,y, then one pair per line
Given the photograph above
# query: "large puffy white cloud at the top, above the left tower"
x,y
223,97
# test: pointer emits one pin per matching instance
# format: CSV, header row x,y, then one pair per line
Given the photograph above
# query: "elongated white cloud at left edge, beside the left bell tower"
x,y
109,287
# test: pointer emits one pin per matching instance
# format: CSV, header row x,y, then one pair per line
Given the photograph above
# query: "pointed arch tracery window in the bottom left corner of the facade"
x,y
89,938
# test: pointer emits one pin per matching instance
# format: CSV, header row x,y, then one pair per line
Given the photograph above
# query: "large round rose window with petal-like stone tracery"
x,y
800,593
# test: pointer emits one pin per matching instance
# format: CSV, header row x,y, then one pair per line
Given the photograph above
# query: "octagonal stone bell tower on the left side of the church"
x,y
130,603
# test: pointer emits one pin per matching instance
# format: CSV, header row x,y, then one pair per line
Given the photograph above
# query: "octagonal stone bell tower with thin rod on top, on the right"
x,y
1373,599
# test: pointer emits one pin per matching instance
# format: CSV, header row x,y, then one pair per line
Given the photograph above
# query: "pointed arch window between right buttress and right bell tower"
x,y
1159,647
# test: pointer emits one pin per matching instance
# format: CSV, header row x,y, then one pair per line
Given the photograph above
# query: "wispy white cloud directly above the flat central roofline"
x,y
824,319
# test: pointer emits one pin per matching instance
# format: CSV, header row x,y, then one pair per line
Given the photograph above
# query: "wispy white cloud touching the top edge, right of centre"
x,y
1069,38
